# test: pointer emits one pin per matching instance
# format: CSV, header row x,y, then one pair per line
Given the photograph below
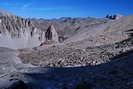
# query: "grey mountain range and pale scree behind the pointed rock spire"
x,y
17,32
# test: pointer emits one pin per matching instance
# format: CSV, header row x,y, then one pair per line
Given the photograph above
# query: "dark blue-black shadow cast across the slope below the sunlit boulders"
x,y
112,75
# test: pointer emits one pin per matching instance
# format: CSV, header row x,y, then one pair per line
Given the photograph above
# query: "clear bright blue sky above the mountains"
x,y
66,8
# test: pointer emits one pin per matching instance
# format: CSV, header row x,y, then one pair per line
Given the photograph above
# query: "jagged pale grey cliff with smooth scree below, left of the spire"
x,y
16,32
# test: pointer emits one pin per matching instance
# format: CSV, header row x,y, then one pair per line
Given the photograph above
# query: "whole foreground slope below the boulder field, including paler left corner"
x,y
116,74
